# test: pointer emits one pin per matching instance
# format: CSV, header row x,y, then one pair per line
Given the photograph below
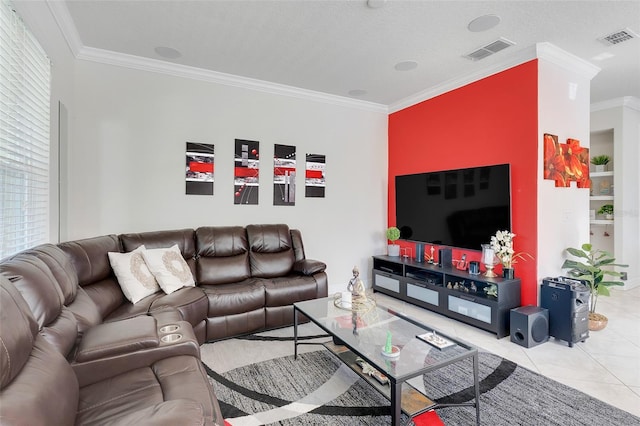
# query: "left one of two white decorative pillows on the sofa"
x,y
135,279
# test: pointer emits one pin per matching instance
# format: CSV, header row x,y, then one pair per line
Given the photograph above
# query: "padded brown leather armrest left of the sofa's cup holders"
x,y
118,337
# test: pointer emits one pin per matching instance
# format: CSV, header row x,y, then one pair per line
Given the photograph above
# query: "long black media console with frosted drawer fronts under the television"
x,y
449,291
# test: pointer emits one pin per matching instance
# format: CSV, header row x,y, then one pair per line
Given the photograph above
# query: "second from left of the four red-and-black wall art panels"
x,y
246,172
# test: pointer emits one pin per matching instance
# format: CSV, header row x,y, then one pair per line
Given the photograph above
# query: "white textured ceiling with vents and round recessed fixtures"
x,y
335,47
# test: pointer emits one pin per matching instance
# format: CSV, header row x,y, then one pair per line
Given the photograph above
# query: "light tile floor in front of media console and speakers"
x,y
606,366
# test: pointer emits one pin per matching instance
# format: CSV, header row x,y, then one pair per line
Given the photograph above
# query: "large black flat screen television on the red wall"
x,y
458,208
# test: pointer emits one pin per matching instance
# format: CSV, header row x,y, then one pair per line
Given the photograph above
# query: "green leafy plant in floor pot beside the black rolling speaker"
x,y
591,270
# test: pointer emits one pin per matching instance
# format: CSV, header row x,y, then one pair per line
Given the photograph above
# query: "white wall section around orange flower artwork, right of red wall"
x,y
563,110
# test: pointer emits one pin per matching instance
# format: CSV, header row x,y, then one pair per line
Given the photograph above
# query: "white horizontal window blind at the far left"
x,y
25,74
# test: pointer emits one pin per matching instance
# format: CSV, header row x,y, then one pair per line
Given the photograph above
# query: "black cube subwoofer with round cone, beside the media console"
x,y
529,326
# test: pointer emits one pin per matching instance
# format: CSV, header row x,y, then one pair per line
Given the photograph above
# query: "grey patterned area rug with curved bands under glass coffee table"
x,y
318,389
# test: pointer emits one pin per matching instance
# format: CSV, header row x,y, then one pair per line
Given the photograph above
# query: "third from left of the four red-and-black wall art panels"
x,y
284,175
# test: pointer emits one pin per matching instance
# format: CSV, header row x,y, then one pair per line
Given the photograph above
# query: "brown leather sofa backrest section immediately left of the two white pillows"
x,y
91,262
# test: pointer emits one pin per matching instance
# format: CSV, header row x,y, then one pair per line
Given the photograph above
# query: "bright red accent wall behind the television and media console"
x,y
491,121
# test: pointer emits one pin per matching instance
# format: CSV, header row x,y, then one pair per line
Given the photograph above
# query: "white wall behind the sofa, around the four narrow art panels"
x,y
126,162
